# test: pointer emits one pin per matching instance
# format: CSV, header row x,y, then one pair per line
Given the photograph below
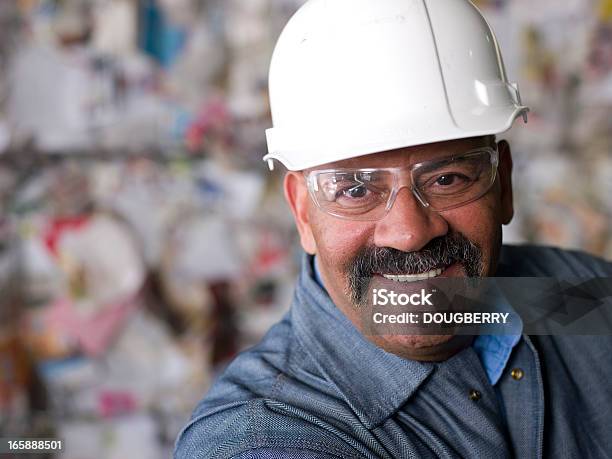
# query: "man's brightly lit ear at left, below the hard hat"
x,y
296,194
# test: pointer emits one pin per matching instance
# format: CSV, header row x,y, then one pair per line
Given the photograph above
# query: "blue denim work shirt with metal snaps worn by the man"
x,y
316,388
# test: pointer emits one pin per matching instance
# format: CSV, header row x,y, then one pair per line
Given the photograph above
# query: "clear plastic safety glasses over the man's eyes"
x,y
369,194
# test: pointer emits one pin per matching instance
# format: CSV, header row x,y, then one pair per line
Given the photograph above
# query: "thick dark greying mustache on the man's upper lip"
x,y
438,253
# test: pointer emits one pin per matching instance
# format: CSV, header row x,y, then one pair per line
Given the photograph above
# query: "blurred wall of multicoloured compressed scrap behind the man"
x,y
143,242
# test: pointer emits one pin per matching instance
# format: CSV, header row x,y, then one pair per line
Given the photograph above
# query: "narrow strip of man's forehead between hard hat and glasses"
x,y
412,155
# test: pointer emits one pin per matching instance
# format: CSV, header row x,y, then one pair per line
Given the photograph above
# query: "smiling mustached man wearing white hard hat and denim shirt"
x,y
385,114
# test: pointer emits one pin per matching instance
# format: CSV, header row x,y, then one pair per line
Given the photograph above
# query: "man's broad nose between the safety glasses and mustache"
x,y
409,226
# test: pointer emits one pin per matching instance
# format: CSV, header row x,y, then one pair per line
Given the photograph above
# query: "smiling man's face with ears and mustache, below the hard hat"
x,y
385,224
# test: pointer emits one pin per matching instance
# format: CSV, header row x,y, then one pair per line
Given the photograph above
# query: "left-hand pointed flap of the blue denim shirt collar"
x,y
373,382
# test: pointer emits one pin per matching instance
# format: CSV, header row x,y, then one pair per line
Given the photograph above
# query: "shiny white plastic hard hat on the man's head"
x,y
354,77
